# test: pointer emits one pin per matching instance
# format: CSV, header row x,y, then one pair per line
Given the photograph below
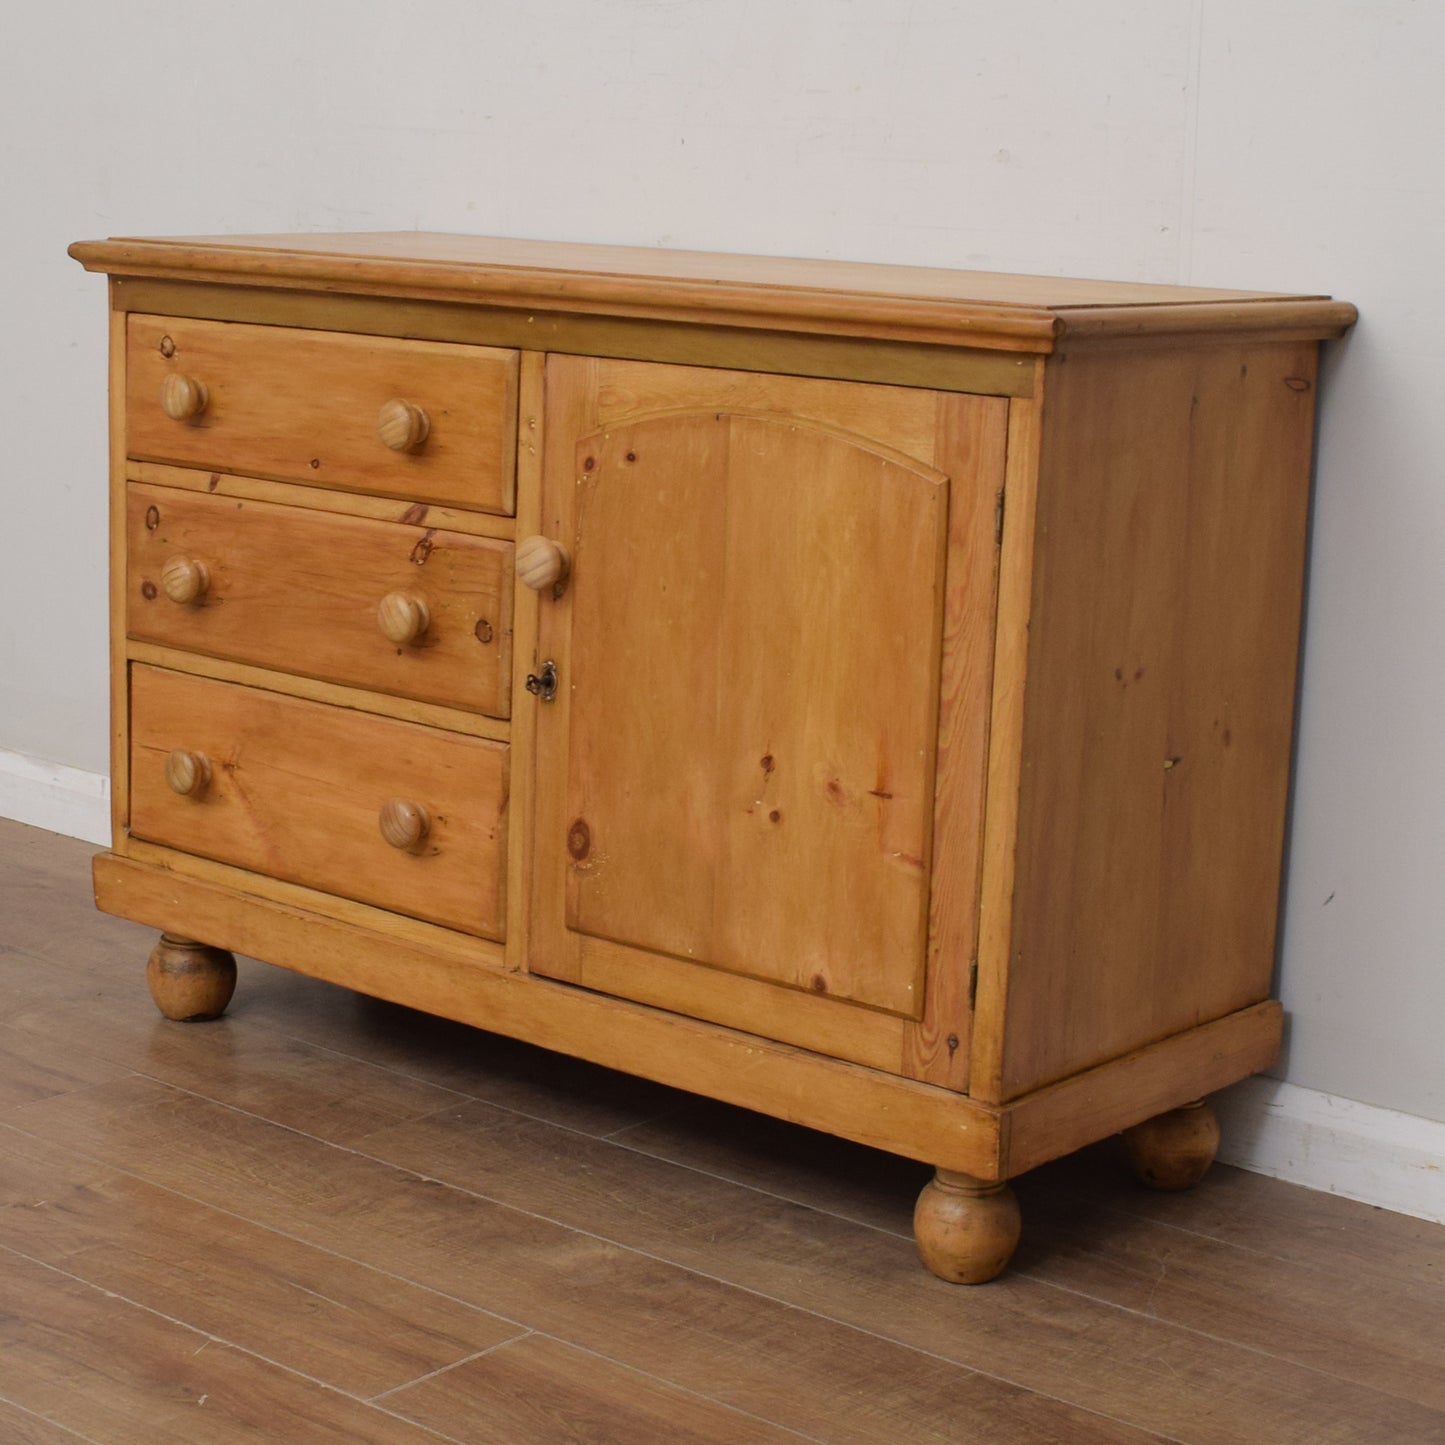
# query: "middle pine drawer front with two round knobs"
x,y
310,592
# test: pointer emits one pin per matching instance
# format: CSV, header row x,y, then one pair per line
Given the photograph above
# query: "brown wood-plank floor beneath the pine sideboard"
x,y
326,1219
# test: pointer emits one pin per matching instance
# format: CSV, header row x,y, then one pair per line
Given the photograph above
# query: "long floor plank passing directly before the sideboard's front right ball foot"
x,y
1152,1372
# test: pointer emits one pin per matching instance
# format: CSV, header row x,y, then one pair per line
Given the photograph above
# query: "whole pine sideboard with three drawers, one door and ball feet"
x,y
860,694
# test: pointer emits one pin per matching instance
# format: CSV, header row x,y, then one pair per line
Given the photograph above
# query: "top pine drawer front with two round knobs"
x,y
324,408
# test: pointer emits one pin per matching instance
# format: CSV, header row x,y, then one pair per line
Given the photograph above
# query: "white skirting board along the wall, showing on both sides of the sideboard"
x,y
1271,1128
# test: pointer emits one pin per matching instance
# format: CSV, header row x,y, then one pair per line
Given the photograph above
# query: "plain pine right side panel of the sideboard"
x,y
1161,681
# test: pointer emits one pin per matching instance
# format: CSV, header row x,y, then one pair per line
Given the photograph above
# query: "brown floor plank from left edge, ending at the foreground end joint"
x,y
359,1330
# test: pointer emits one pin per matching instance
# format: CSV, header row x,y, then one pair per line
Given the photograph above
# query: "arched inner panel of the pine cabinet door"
x,y
751,738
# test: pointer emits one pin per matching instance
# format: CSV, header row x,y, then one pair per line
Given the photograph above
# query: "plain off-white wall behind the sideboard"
x,y
1271,144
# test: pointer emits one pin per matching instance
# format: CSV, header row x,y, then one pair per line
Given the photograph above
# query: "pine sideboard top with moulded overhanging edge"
x,y
777,294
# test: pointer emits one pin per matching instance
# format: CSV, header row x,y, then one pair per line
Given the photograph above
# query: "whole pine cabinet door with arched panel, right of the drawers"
x,y
759,785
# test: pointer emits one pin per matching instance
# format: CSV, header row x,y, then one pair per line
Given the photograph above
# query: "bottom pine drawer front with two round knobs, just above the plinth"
x,y
303,793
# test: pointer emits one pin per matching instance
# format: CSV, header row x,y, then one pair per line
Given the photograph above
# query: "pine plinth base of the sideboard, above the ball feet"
x,y
911,1119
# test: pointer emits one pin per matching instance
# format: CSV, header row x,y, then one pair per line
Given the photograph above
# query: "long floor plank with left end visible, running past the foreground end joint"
x,y
787,1366
